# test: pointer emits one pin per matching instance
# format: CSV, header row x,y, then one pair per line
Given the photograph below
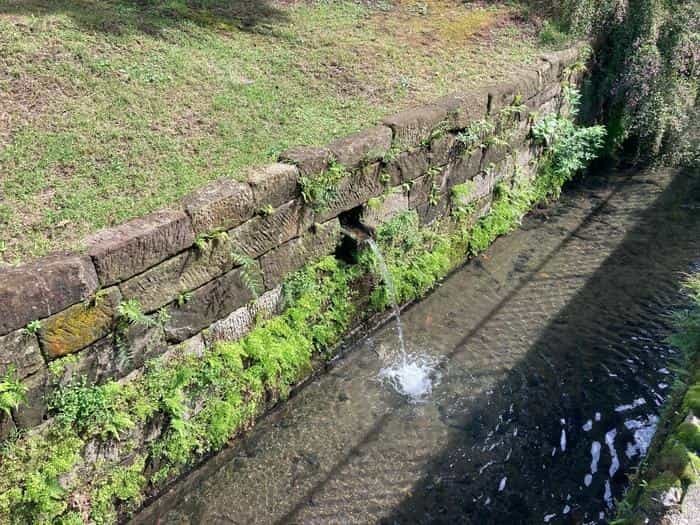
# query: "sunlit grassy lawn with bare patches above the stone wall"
x,y
110,110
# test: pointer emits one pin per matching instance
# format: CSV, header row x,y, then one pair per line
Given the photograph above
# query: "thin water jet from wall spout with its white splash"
x,y
411,375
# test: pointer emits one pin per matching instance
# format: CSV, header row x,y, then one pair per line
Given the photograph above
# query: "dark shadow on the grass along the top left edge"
x,y
154,17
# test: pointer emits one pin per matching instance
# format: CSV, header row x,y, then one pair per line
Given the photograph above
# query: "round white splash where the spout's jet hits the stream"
x,y
412,376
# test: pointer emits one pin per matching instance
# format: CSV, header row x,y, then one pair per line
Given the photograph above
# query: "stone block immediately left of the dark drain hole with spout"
x,y
292,255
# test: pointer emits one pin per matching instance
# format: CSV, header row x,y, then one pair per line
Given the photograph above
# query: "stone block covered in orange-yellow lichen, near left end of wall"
x,y
80,325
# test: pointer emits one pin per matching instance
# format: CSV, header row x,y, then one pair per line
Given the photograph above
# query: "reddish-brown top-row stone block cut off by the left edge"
x,y
42,288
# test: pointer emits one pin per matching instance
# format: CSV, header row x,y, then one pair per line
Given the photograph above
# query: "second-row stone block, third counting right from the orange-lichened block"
x,y
263,233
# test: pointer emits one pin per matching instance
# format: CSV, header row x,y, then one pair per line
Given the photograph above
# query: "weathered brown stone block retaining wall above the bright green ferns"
x,y
180,268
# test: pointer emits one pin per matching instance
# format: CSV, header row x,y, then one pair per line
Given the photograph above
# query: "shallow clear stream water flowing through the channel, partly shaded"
x,y
541,364
